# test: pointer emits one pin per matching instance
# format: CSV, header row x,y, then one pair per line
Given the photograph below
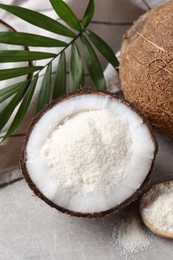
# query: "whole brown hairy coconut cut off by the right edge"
x,y
146,67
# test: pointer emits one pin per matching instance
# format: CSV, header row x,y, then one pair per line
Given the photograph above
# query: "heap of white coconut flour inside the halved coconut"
x,y
89,151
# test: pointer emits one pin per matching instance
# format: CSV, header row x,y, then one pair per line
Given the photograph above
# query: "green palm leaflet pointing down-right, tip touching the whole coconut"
x,y
104,48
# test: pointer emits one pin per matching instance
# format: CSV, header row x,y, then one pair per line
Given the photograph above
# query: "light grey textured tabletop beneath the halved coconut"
x,y
30,229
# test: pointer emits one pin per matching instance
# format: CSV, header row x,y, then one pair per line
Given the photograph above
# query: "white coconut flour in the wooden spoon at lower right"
x,y
157,206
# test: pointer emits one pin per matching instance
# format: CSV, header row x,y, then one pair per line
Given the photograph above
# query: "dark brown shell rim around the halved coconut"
x,y
26,175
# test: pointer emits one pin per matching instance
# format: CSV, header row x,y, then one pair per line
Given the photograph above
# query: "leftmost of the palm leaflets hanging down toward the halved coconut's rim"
x,y
44,95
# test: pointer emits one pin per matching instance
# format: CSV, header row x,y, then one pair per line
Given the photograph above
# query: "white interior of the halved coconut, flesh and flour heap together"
x,y
89,153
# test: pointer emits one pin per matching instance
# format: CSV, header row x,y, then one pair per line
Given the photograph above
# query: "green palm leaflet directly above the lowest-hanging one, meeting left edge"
x,y
8,110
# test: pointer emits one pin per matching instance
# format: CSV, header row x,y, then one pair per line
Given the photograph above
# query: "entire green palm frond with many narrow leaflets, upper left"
x,y
23,91
